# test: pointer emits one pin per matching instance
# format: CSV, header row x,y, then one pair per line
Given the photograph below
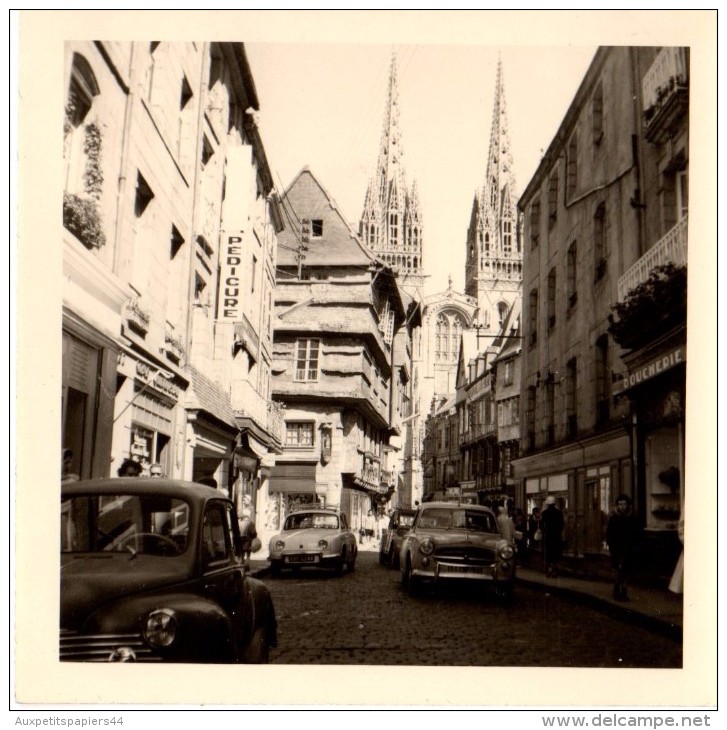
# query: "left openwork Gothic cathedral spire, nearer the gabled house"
x,y
391,222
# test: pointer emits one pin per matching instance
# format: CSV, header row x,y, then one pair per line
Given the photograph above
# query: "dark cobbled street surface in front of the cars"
x,y
366,618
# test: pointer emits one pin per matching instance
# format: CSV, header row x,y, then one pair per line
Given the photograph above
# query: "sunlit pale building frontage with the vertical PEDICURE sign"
x,y
163,165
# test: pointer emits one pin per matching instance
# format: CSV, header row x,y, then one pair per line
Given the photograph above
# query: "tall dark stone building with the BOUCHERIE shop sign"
x,y
606,205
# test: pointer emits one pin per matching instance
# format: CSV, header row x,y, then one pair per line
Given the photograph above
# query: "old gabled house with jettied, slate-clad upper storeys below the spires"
x,y
338,313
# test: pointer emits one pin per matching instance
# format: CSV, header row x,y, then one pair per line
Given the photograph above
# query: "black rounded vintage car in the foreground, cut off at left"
x,y
152,570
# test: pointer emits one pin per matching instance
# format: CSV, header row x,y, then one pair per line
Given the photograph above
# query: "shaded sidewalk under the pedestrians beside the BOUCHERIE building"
x,y
653,608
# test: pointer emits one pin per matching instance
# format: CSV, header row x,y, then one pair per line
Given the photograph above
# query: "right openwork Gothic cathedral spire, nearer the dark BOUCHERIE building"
x,y
494,268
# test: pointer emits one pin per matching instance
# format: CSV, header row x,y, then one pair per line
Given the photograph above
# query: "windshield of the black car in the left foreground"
x,y
138,524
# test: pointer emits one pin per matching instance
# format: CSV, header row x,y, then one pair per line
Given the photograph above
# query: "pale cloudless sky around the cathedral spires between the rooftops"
x,y
322,105
